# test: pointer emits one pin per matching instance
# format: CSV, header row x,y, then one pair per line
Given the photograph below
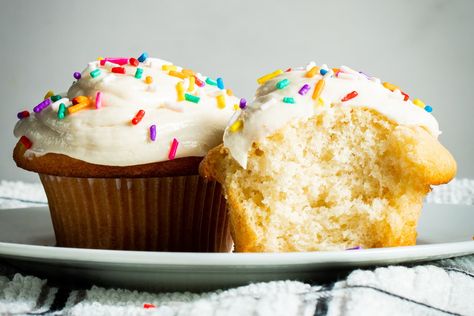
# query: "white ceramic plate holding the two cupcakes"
x,y
27,243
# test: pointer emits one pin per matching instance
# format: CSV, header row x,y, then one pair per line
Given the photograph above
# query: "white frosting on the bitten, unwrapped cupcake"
x,y
268,113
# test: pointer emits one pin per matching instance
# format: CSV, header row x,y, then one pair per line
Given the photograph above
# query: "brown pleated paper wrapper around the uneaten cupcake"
x,y
185,213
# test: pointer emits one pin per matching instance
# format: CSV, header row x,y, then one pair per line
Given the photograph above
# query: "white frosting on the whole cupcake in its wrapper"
x,y
106,136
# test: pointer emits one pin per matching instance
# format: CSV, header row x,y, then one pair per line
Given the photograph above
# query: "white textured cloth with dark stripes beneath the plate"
x,y
443,287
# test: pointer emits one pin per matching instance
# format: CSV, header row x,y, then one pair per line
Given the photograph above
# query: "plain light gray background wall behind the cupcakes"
x,y
426,47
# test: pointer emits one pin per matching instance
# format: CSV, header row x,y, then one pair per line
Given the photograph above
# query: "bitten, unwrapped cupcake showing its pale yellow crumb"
x,y
328,159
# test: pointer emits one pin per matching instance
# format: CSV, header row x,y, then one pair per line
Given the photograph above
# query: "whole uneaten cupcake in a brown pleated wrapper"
x,y
118,156
